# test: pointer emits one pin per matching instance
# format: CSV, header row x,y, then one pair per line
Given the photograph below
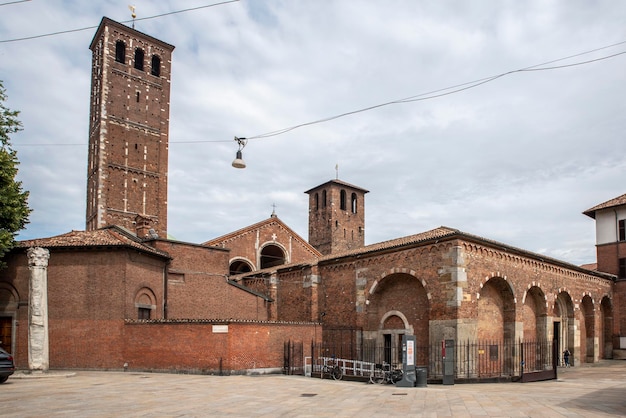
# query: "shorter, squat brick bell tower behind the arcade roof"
x,y
336,217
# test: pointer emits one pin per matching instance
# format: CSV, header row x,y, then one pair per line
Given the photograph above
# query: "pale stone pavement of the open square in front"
x,y
588,391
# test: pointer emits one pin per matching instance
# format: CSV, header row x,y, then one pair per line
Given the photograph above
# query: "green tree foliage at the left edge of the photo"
x,y
14,208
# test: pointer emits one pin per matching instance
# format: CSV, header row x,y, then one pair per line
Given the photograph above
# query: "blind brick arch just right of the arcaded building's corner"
x,y
496,311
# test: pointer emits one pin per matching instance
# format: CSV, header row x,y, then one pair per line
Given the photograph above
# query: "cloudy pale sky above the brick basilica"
x,y
515,158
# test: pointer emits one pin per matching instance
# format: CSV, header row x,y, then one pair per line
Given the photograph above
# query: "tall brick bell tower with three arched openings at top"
x,y
128,130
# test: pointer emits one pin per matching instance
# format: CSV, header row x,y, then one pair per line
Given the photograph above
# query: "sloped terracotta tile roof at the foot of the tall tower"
x,y
106,237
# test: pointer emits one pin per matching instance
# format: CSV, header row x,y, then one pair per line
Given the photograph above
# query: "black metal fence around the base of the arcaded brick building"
x,y
473,360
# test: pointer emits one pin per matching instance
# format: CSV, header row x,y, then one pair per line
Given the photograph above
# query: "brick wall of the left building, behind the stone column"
x,y
90,293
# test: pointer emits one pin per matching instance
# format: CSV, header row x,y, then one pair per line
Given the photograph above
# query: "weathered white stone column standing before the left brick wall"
x,y
38,359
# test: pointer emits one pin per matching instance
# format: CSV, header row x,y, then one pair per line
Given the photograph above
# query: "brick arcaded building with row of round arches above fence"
x,y
444,291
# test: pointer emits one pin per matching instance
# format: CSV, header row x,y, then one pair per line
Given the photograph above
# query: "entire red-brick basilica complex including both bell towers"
x,y
122,295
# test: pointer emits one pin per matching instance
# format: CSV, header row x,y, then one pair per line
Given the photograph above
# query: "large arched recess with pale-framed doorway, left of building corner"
x,y
398,305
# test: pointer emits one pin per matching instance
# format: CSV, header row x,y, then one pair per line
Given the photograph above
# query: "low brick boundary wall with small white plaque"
x,y
197,347
